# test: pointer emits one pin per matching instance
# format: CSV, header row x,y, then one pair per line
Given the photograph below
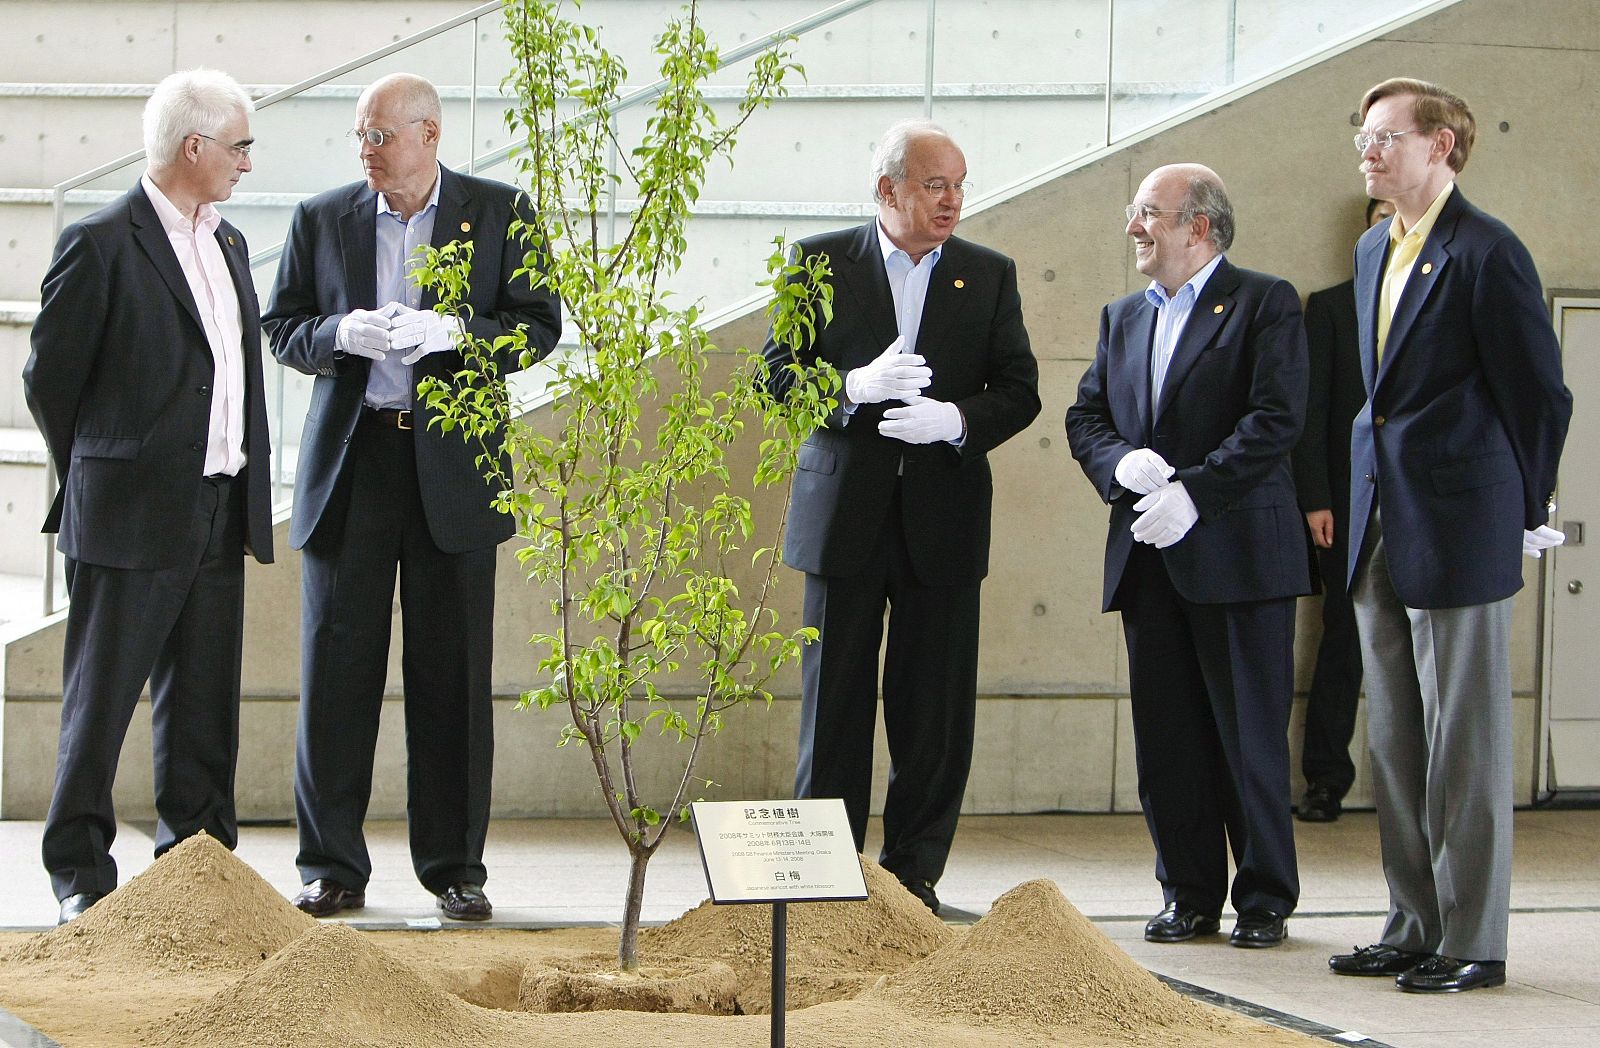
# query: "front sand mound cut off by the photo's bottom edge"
x,y
332,986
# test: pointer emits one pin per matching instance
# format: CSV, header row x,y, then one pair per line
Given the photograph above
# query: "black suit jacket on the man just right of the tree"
x,y
975,343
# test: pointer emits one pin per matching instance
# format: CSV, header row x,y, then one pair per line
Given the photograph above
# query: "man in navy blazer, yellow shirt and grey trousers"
x,y
1452,479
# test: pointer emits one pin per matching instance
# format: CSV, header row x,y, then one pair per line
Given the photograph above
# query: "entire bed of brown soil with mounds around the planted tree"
x,y
175,961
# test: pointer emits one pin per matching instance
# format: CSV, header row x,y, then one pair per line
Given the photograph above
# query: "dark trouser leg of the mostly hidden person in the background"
x,y
1337,682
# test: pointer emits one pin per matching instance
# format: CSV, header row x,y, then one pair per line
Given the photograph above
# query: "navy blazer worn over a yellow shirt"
x,y
1466,417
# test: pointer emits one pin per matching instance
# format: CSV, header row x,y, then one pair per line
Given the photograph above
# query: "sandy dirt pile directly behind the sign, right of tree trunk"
x,y
836,950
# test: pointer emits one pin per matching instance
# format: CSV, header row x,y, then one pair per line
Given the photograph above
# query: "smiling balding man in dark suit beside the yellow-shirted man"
x,y
1185,423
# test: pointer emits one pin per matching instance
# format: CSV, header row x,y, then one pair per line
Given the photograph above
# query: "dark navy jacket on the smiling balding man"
x,y
1231,410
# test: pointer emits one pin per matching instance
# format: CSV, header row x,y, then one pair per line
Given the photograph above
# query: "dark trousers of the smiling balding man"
x,y
1212,689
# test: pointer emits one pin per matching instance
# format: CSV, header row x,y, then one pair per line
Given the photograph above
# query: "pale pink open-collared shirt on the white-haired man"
x,y
217,298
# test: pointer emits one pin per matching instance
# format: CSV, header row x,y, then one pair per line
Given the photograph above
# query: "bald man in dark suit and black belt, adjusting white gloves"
x,y
380,489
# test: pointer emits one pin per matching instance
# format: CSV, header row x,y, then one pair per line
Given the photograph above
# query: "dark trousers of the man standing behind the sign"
x,y
930,697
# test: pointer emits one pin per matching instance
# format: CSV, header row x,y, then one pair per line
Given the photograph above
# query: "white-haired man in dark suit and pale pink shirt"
x,y
146,382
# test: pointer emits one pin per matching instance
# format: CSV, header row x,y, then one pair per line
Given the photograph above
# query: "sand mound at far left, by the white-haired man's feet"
x,y
196,908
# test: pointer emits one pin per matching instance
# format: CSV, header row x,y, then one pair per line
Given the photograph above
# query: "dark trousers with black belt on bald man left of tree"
x,y
374,530
